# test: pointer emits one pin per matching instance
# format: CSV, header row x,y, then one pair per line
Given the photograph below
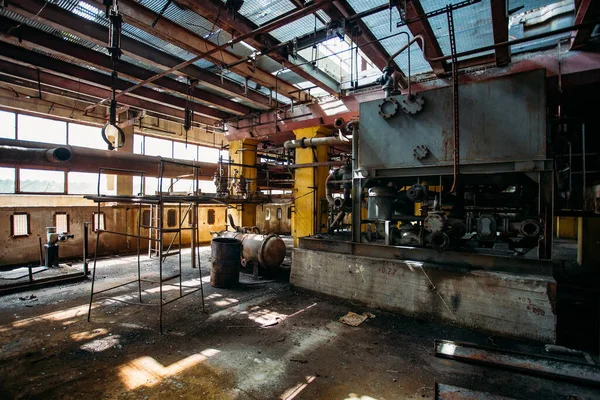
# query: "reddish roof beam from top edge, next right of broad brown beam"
x,y
237,24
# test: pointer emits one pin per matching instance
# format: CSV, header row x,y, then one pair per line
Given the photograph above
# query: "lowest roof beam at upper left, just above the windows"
x,y
63,83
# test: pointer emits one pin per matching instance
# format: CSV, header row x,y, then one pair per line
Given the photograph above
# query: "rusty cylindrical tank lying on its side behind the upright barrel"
x,y
266,250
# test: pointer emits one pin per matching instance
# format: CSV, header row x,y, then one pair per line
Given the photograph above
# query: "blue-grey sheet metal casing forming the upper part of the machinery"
x,y
501,120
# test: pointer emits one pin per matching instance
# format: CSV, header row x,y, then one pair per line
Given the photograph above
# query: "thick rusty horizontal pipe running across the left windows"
x,y
24,154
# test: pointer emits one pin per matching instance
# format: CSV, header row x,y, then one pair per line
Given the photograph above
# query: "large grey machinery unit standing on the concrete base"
x,y
495,196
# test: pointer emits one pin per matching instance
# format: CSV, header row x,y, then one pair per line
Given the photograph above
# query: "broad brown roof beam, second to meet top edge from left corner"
x,y
143,18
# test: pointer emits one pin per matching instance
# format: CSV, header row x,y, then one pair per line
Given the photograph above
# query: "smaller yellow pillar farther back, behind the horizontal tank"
x,y
244,152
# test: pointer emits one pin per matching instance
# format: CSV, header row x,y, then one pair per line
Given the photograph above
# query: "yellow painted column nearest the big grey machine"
x,y
309,185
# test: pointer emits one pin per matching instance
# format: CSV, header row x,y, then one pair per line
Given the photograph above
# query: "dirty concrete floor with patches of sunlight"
x,y
258,341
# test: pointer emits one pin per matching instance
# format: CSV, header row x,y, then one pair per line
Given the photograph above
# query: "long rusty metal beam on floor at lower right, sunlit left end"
x,y
528,363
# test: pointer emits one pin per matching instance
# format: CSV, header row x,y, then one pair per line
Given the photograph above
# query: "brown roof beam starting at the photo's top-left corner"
x,y
63,20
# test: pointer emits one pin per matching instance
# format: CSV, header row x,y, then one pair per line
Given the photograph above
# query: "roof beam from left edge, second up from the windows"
x,y
79,54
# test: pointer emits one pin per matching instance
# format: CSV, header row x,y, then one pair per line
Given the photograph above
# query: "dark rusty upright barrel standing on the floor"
x,y
226,255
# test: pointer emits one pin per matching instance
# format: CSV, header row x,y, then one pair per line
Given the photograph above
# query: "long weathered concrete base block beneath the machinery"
x,y
513,305
